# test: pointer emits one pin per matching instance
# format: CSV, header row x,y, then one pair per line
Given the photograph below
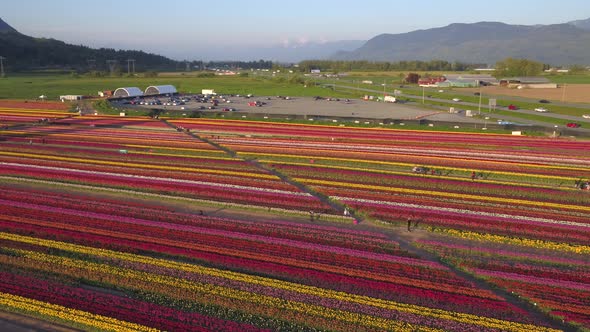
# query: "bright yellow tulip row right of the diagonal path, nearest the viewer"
x,y
568,247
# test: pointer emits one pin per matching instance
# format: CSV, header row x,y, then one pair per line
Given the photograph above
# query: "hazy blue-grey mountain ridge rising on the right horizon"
x,y
483,42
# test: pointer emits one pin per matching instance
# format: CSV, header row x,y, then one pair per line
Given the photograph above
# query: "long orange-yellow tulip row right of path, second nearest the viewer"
x,y
444,194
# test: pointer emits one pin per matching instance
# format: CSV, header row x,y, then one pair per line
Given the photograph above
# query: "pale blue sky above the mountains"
x,y
180,29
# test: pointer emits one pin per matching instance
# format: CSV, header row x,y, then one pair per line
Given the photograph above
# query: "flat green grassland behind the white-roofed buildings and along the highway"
x,y
54,85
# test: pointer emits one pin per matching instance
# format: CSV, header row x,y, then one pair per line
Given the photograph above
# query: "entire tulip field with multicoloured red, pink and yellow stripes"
x,y
102,227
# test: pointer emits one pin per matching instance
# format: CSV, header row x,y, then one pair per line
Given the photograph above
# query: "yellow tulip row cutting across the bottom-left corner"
x,y
53,311
